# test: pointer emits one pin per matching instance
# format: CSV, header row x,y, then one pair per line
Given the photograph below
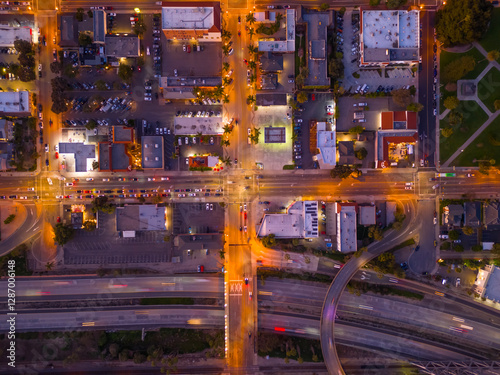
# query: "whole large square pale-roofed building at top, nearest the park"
x,y
389,37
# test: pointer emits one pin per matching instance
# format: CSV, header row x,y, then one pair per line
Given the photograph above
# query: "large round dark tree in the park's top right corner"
x,y
462,21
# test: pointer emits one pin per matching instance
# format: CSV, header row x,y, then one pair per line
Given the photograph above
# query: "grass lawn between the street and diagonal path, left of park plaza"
x,y
474,117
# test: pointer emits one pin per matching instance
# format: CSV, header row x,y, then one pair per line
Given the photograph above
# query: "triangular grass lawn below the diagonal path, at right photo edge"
x,y
482,148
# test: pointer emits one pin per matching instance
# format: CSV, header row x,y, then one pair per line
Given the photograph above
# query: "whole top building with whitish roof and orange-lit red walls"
x,y
197,20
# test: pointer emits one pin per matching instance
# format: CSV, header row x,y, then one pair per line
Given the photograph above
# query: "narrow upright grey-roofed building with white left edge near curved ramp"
x,y
346,227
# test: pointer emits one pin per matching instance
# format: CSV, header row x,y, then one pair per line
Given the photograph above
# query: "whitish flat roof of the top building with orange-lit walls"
x,y
188,18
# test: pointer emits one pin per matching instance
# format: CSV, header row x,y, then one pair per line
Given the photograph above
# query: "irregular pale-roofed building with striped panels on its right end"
x,y
300,221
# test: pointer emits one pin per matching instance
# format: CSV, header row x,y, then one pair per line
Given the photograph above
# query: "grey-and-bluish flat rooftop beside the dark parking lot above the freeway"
x,y
140,218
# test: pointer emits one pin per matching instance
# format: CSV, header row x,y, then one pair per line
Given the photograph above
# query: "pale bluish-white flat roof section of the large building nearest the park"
x,y
390,29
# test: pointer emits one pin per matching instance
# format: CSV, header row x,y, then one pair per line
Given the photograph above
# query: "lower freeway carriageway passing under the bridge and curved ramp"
x,y
200,317
